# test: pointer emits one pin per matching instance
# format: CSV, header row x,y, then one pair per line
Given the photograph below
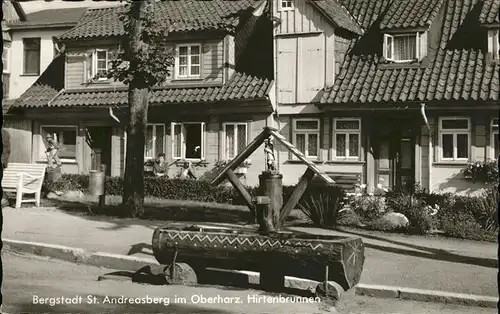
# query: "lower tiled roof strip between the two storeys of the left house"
x,y
239,87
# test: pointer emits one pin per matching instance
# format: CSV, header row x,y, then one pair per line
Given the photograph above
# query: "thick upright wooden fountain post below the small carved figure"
x,y
270,185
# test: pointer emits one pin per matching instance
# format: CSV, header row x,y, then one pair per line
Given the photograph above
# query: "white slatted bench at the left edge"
x,y
24,179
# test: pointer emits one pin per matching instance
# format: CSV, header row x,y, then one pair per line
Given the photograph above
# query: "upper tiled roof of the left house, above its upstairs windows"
x,y
176,16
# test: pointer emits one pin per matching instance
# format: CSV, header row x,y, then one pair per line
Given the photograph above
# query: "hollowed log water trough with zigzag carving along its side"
x,y
315,257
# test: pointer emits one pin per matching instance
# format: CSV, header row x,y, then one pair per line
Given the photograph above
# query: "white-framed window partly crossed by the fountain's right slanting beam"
x,y
306,137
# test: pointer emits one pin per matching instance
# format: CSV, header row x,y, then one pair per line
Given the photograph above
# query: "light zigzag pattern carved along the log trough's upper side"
x,y
242,241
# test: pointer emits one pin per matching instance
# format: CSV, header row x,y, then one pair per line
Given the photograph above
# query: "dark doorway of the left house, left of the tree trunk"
x,y
99,140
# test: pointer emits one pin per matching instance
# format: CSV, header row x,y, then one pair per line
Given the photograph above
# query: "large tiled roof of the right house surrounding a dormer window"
x,y
456,71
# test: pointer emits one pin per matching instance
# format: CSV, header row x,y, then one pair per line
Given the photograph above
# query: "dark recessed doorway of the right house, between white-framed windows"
x,y
394,152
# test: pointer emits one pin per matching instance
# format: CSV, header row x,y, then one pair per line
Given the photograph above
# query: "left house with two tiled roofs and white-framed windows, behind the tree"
x,y
215,101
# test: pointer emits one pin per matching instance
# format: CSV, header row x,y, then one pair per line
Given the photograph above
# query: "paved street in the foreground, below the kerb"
x,y
29,277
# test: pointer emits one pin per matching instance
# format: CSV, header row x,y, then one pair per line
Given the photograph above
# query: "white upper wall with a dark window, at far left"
x,y
19,83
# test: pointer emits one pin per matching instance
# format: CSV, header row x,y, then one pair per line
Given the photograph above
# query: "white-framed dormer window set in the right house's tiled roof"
x,y
405,47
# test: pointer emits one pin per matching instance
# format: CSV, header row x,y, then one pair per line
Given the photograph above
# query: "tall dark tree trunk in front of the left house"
x,y
133,183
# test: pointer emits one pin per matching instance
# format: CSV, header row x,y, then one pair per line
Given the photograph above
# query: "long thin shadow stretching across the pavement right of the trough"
x,y
430,253
